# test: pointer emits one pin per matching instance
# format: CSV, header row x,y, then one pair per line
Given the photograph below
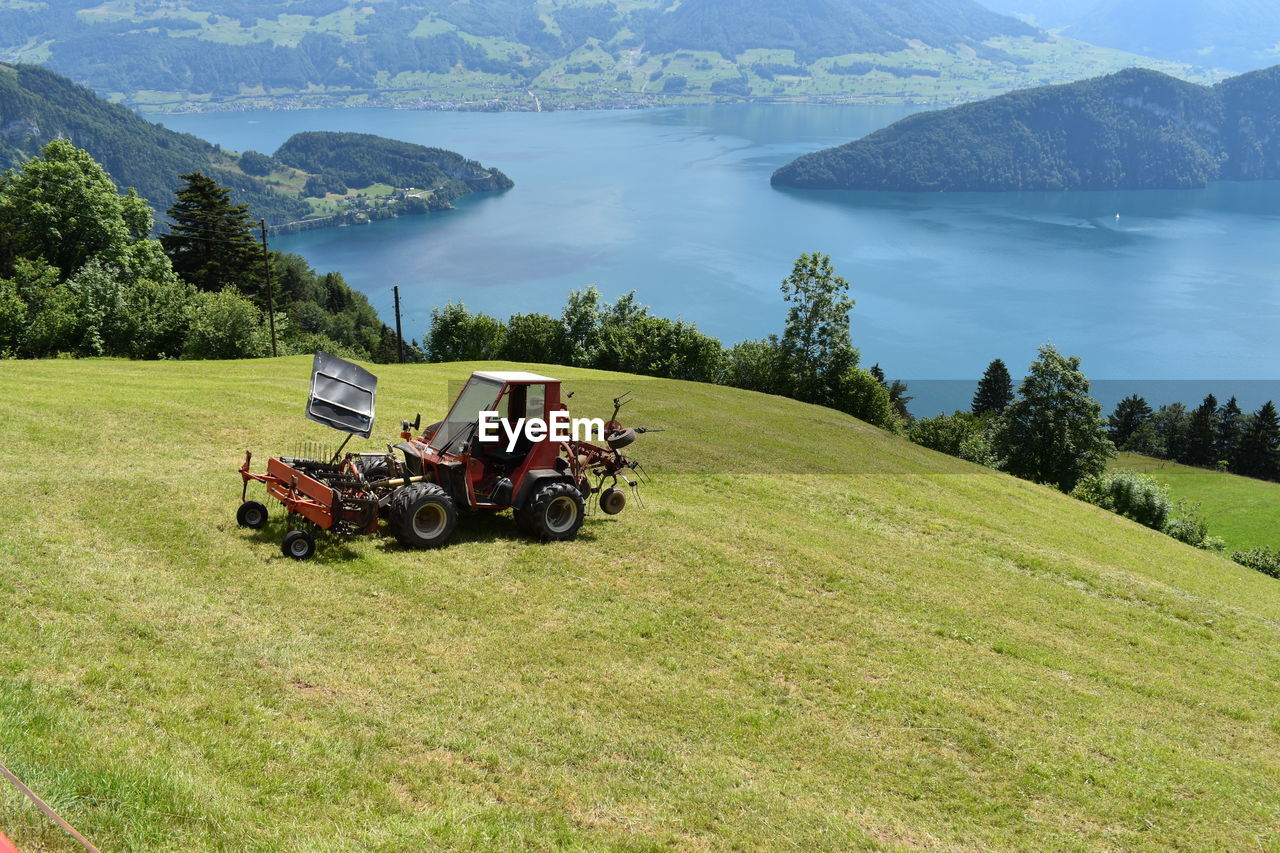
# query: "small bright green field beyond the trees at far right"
x,y
1246,513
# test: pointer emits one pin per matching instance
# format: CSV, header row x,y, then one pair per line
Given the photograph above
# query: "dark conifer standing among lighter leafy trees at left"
x,y
212,241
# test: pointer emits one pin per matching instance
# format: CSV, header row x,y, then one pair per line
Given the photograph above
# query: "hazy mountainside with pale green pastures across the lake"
x,y
499,54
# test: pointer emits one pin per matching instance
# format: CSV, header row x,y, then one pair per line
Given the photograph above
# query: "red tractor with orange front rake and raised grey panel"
x,y
422,485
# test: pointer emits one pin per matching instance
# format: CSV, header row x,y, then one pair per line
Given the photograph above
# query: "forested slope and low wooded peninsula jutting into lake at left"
x,y
314,176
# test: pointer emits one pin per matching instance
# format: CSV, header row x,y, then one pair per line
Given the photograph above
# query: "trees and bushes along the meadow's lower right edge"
x,y
1052,431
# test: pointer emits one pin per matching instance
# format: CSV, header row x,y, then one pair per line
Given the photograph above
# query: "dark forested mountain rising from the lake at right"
x,y
1137,130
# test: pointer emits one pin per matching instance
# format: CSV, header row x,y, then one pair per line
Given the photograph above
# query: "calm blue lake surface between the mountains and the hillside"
x,y
676,206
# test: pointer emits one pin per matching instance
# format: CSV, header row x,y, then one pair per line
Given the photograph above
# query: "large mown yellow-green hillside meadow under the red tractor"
x,y
816,637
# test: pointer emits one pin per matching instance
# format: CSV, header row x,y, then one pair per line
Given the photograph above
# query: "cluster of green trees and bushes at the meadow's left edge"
x,y
83,275
